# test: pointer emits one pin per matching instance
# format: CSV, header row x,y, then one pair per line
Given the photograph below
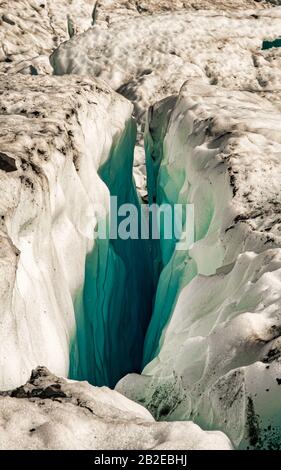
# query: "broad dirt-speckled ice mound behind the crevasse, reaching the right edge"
x,y
148,57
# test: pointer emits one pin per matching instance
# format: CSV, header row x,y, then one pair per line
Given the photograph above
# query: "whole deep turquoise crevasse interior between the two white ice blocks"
x,y
131,285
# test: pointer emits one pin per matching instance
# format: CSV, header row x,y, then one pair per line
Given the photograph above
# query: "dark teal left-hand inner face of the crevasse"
x,y
114,306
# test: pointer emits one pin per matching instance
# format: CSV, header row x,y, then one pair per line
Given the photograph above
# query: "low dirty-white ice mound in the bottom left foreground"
x,y
53,413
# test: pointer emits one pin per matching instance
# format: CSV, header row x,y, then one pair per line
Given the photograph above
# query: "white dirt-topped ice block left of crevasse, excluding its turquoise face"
x,y
55,135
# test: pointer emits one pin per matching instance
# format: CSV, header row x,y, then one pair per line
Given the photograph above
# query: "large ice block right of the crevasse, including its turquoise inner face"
x,y
216,325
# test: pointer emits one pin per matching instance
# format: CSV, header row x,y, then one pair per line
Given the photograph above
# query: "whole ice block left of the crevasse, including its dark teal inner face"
x,y
58,137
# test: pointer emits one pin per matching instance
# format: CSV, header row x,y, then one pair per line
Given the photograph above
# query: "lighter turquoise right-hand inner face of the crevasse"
x,y
168,184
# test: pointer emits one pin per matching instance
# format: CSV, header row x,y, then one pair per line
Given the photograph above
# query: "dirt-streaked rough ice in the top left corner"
x,y
31,29
